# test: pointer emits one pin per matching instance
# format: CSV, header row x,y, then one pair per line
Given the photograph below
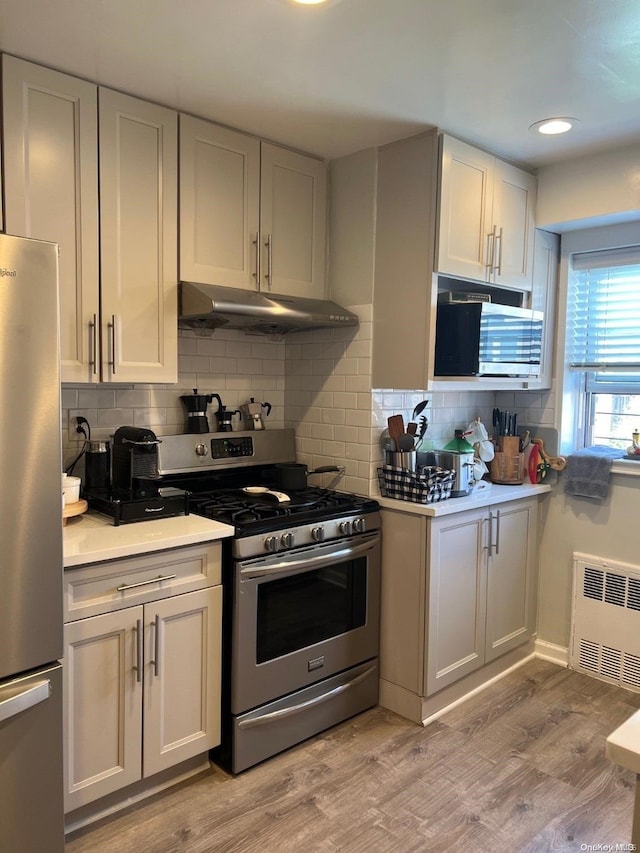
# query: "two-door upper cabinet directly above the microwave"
x,y
486,218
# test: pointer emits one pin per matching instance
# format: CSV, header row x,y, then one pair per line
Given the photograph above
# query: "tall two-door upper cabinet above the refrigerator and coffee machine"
x,y
118,279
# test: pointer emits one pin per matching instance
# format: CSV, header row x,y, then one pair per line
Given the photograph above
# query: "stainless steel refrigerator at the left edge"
x,y
31,786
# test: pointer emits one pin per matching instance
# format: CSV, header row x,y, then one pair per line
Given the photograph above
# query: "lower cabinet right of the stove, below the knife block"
x,y
458,592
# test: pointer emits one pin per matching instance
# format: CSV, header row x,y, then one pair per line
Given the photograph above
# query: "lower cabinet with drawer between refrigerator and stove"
x,y
141,684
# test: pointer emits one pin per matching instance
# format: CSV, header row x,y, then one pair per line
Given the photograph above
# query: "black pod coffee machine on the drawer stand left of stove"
x,y
135,463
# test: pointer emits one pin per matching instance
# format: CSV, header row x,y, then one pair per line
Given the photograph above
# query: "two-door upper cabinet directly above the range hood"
x,y
252,214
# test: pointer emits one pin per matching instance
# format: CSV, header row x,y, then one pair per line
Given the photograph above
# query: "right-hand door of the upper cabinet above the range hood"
x,y
293,207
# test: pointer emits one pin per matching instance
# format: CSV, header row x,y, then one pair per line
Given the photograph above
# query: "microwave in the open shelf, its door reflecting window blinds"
x,y
487,339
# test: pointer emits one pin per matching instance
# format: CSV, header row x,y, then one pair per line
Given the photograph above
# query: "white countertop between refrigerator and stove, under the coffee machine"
x,y
92,538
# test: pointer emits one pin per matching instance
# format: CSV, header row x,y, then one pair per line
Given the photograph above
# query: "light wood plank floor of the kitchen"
x,y
520,767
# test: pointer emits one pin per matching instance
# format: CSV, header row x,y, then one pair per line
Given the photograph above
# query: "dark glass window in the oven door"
x,y
307,608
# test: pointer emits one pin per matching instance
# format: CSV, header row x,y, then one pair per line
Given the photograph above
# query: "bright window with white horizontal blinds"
x,y
603,341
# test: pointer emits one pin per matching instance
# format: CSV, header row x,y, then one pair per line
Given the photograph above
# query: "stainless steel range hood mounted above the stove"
x,y
209,307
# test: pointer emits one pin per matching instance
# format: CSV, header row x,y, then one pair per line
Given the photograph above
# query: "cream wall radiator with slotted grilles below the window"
x,y
605,624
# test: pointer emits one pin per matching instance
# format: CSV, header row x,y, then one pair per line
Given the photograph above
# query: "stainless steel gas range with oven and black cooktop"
x,y
301,581
